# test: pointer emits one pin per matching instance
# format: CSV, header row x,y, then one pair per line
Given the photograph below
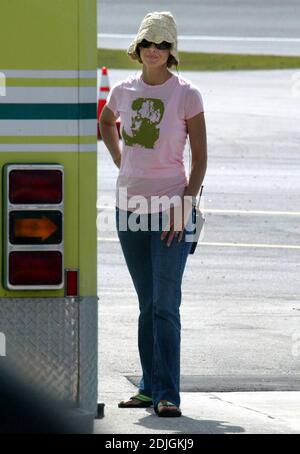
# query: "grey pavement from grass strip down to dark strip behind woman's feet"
x,y
241,303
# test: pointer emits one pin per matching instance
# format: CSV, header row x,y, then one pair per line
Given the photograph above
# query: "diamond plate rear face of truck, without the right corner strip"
x,y
42,342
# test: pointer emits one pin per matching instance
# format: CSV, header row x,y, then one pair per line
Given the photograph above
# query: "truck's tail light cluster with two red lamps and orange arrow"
x,y
33,226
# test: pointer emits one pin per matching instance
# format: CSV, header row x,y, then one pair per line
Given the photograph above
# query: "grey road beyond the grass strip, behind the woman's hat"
x,y
251,26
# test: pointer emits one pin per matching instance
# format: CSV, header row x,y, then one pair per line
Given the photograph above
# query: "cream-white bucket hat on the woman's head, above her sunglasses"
x,y
156,27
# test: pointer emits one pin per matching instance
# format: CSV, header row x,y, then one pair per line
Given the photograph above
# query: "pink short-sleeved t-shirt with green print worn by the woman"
x,y
153,128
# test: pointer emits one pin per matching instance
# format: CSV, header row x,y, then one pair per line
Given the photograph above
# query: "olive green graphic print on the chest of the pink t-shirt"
x,y
147,113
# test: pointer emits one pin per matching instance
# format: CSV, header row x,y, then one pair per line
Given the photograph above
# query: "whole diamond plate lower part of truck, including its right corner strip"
x,y
52,342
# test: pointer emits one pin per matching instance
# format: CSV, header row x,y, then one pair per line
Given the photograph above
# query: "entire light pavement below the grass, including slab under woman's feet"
x,y
241,299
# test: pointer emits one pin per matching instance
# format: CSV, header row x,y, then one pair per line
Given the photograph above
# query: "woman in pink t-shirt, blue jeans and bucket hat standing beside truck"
x,y
158,109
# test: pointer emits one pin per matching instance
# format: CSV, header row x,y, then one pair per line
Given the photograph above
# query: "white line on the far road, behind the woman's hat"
x,y
211,38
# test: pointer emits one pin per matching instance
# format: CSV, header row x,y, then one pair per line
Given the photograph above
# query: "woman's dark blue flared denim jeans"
x,y
156,271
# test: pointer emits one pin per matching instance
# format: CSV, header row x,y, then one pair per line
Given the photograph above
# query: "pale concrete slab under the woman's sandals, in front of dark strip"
x,y
207,413
